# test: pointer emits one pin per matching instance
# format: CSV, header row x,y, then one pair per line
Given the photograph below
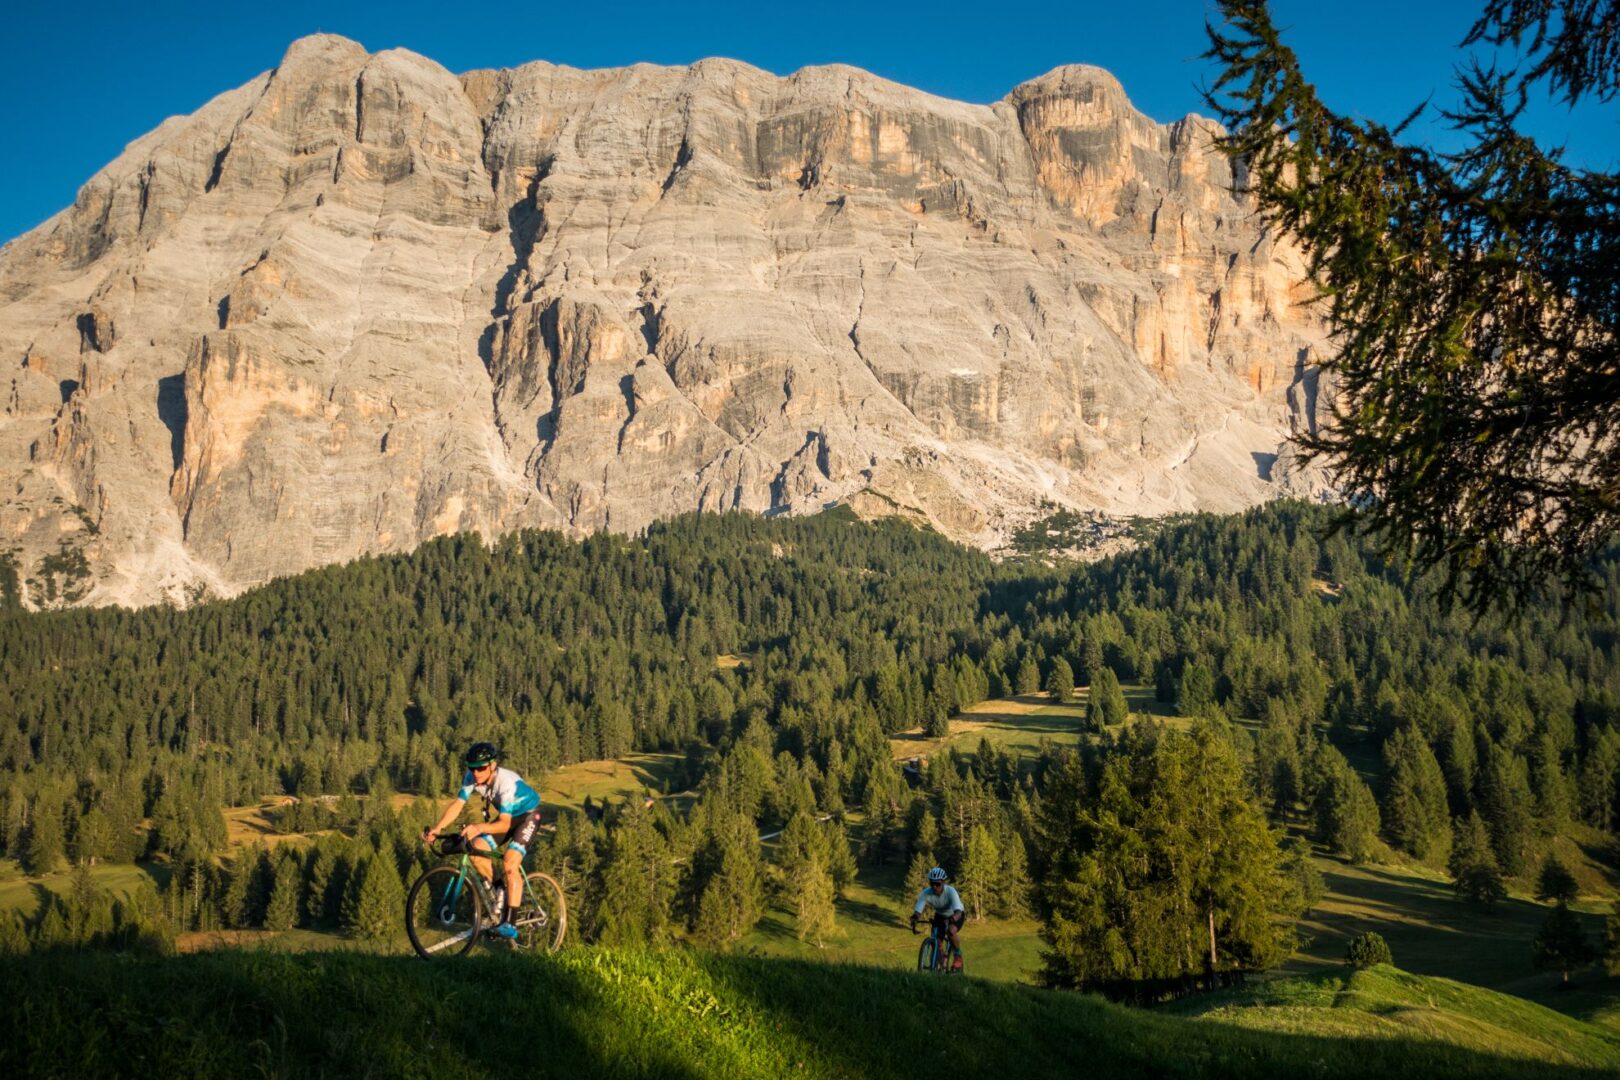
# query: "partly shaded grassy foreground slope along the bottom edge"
x,y
694,1014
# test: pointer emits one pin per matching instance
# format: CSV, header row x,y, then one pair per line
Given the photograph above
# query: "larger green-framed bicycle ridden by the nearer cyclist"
x,y
450,908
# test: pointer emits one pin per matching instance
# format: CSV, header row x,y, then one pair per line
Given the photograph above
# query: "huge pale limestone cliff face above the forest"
x,y
364,302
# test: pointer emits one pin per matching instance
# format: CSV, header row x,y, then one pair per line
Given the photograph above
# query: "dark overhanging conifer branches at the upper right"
x,y
1409,247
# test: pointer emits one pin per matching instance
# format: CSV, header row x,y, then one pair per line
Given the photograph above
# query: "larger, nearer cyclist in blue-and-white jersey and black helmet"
x,y
516,817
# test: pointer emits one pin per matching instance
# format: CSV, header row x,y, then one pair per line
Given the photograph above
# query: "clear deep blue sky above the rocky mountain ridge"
x,y
80,82
